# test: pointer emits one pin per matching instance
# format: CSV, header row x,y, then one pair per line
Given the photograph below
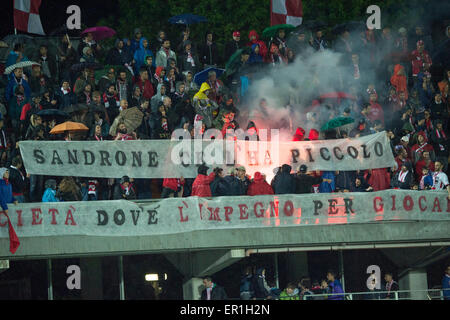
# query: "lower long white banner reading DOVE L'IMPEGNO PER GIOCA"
x,y
178,215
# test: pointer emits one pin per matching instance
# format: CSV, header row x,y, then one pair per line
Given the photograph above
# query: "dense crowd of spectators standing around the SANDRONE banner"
x,y
152,80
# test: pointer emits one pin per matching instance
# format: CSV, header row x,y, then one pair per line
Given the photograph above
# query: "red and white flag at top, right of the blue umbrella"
x,y
286,12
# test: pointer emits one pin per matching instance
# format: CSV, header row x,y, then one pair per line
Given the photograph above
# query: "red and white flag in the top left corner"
x,y
26,16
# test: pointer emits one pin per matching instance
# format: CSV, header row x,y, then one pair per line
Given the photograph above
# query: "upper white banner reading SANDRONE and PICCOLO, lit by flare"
x,y
172,159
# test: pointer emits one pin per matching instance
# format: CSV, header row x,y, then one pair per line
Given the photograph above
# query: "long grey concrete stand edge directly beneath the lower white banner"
x,y
71,246
